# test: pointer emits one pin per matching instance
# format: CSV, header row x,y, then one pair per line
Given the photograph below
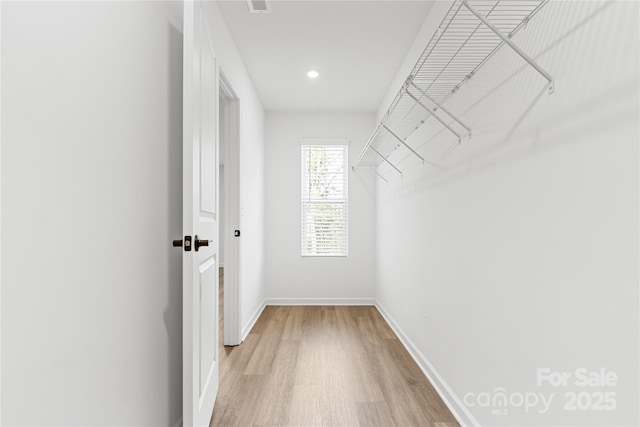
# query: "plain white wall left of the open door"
x,y
91,198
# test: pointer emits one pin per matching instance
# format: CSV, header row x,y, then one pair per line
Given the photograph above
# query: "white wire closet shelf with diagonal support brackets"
x,y
471,32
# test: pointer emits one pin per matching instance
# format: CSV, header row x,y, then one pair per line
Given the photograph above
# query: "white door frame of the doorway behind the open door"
x,y
230,102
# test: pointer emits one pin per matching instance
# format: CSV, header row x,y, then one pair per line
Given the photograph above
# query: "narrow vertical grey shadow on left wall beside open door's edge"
x,y
173,312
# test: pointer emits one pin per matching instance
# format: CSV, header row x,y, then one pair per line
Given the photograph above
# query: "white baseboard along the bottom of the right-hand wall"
x,y
455,405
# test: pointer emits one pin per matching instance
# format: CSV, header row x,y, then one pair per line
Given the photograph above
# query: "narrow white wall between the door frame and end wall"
x,y
252,268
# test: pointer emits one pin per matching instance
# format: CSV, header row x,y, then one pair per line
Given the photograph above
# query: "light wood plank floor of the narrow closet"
x,y
324,366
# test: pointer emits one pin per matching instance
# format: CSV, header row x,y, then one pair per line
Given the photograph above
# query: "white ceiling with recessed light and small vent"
x,y
357,46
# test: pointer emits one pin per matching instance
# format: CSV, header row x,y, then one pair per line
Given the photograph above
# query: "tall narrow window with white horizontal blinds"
x,y
324,198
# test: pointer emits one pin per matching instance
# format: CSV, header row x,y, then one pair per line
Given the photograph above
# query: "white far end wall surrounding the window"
x,y
290,277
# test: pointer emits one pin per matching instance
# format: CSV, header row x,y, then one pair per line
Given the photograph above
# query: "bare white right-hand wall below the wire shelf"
x,y
523,252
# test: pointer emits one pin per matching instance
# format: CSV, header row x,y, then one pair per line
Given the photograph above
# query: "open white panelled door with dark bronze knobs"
x,y
200,218
